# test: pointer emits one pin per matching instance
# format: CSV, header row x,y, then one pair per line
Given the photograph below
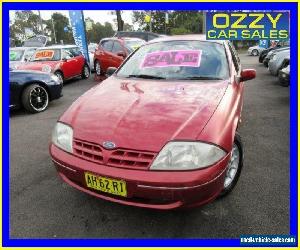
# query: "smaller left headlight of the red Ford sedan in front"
x,y
62,136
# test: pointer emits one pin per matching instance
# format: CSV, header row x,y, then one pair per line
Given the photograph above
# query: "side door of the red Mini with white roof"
x,y
69,64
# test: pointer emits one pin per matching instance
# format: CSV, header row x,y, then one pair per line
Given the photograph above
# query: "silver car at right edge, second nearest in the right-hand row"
x,y
278,61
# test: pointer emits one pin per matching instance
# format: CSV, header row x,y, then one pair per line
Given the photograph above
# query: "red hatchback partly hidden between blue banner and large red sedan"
x,y
111,52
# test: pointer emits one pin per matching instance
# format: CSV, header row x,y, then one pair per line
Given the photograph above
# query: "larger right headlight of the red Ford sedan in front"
x,y
187,155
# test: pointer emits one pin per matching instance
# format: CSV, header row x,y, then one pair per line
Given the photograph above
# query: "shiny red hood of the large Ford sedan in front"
x,y
144,114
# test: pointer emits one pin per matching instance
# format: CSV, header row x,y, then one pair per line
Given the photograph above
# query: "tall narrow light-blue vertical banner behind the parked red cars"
x,y
78,28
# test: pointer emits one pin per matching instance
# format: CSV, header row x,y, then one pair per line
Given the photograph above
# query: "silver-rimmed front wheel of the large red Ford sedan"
x,y
234,166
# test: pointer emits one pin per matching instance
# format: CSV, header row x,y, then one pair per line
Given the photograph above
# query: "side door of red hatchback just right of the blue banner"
x,y
104,53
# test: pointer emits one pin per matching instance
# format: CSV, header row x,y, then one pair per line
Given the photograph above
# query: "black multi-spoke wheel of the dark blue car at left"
x,y
35,98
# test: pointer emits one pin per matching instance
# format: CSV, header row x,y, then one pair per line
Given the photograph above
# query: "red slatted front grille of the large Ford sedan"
x,y
116,158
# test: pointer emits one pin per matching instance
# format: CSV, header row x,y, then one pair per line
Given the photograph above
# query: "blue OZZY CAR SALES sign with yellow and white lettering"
x,y
247,25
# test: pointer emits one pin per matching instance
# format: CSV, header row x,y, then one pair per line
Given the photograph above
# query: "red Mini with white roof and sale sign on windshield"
x,y
65,61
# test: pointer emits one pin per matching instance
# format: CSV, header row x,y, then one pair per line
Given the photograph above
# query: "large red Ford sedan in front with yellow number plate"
x,y
161,131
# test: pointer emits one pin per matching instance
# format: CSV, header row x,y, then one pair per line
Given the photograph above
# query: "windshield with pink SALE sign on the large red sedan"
x,y
184,60
